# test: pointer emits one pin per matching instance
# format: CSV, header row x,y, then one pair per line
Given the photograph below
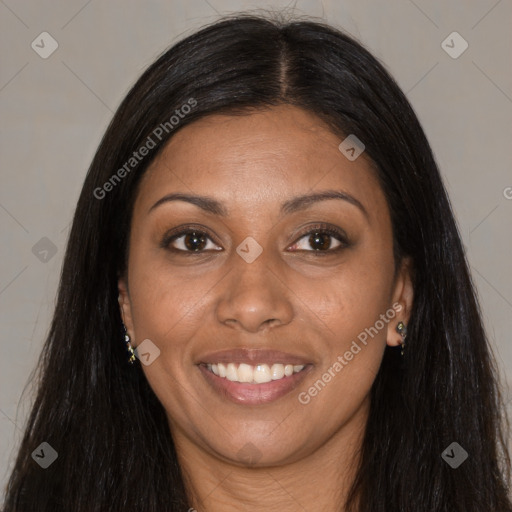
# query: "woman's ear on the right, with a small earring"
x,y
403,295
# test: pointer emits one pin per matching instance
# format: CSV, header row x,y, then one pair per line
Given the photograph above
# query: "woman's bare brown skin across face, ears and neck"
x,y
297,301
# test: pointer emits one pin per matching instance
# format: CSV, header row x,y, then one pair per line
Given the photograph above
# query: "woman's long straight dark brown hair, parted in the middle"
x,y
96,411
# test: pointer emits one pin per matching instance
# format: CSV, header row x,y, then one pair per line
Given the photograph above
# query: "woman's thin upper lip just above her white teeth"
x,y
252,357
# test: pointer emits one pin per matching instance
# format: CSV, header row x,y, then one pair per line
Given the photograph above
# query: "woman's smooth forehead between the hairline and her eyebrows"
x,y
262,158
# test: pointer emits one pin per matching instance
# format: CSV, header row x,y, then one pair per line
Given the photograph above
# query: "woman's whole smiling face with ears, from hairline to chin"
x,y
249,292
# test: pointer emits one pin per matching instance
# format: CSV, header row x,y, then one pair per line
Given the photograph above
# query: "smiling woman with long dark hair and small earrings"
x,y
265,225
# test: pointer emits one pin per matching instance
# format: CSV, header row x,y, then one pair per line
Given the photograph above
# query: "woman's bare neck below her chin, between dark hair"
x,y
318,481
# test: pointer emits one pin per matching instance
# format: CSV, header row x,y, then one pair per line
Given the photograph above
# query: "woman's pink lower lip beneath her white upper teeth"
x,y
254,394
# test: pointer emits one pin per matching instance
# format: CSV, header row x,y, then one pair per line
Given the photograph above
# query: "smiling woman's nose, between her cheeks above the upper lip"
x,y
254,297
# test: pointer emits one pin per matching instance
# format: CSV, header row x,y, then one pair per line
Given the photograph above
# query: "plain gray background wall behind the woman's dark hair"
x,y
55,110
